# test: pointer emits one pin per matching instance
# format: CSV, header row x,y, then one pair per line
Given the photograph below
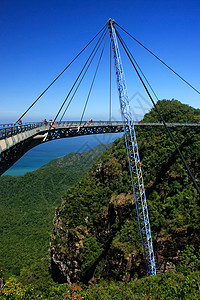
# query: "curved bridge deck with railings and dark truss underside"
x,y
15,141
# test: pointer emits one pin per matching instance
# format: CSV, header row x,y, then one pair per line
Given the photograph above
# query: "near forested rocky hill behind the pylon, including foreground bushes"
x,y
96,250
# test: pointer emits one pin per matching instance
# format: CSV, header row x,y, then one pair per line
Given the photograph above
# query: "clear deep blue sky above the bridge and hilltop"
x,y
39,38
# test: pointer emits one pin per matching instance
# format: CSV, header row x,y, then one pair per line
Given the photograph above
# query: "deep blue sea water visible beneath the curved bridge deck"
x,y
42,154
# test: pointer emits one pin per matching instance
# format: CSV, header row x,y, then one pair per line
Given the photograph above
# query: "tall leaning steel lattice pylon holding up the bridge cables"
x,y
133,156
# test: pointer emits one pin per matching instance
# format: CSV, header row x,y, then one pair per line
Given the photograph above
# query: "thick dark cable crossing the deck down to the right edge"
x,y
165,125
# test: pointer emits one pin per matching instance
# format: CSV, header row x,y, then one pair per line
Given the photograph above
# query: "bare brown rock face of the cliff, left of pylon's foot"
x,y
67,245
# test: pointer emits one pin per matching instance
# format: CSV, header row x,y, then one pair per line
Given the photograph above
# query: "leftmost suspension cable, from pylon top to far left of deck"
x,y
60,74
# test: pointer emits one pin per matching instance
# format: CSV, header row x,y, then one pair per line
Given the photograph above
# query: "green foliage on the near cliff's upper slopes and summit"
x,y
173,202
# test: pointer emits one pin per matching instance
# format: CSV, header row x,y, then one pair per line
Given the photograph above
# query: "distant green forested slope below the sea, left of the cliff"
x,y
27,206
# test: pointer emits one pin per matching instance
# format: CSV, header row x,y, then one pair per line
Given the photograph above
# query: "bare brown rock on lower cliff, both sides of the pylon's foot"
x,y
66,266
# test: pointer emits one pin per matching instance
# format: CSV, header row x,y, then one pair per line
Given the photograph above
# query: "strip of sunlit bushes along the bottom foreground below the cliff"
x,y
36,283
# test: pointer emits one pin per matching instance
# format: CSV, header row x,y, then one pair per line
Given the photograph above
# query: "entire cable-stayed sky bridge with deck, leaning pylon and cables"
x,y
16,140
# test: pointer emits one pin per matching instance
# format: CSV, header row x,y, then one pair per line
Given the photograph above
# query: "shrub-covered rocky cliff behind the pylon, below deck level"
x,y
96,233
